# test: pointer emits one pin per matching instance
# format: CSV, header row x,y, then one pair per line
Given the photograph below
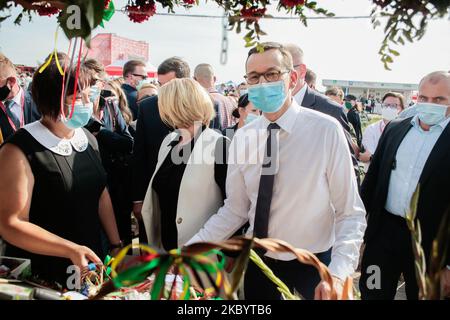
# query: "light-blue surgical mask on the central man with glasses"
x,y
267,97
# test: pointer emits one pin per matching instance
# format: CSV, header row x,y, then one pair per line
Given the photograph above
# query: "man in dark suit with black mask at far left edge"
x,y
17,107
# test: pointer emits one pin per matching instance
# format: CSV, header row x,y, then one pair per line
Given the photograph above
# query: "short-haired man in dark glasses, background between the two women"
x,y
134,74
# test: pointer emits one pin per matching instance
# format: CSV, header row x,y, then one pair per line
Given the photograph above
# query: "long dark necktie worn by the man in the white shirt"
x,y
268,171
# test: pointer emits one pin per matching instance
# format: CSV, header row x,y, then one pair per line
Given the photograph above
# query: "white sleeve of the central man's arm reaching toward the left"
x,y
234,213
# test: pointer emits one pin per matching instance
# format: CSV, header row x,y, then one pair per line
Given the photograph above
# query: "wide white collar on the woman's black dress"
x,y
79,142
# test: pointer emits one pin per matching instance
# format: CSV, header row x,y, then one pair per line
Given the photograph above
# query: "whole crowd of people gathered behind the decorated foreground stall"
x,y
82,153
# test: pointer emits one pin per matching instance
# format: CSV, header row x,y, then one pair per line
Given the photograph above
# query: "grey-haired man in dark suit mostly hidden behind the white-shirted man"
x,y
309,98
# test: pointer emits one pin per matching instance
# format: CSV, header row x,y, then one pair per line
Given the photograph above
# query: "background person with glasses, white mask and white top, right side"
x,y
393,104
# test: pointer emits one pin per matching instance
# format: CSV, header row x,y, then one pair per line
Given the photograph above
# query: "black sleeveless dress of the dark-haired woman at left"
x,y
65,201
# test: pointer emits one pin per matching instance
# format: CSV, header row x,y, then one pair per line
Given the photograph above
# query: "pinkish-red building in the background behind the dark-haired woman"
x,y
108,47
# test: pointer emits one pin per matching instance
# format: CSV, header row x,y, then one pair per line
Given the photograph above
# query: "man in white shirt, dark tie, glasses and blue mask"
x,y
306,194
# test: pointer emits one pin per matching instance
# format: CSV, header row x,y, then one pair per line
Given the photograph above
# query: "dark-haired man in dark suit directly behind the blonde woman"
x,y
150,132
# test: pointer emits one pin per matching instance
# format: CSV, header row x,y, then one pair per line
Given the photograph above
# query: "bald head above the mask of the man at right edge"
x,y
435,88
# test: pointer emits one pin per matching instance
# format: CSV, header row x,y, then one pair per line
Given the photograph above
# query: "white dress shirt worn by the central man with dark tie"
x,y
315,203
